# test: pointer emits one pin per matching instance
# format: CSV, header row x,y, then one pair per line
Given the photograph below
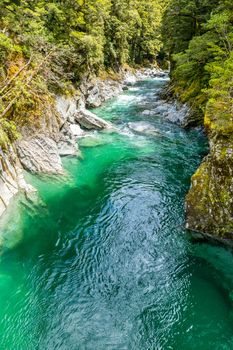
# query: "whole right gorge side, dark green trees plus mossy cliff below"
x,y
200,47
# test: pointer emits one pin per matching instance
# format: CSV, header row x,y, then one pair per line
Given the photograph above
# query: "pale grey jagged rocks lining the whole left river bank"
x,y
65,121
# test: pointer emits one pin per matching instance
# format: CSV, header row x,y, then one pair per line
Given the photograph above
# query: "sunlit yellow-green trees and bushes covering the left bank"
x,y
48,46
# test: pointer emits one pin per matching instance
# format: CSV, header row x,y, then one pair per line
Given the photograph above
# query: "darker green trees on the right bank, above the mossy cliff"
x,y
198,36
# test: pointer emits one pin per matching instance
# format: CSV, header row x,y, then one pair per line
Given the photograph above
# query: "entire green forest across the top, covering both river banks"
x,y
48,46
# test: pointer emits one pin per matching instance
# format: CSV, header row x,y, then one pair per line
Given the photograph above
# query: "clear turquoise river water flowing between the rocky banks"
x,y
102,261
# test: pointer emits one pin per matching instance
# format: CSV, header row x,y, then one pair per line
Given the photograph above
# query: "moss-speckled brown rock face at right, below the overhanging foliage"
x,y
209,203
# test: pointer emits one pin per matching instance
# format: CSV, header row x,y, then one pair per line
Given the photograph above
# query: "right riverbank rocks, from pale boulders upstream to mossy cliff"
x,y
209,203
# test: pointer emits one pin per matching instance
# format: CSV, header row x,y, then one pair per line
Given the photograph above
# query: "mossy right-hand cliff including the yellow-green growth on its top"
x,y
209,203
